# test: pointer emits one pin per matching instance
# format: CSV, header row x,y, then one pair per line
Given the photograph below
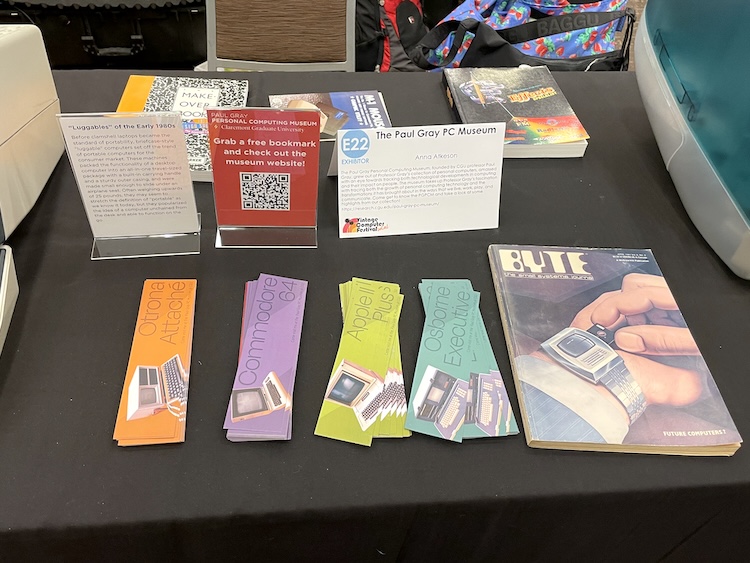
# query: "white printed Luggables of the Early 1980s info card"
x,y
132,172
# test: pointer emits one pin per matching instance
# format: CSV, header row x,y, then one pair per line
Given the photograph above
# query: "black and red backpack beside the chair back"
x,y
384,31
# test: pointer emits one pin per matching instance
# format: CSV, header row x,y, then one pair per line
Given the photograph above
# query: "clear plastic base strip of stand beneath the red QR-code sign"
x,y
267,237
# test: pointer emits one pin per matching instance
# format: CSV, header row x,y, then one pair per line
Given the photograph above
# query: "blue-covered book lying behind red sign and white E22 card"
x,y
338,110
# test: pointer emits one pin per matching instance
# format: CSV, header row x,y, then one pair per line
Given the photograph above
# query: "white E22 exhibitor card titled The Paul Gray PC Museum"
x,y
426,179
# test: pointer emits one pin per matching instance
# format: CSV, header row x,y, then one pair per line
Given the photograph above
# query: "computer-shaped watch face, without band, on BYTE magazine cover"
x,y
582,353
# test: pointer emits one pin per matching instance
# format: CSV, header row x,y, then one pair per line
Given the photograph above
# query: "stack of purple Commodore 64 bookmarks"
x,y
260,404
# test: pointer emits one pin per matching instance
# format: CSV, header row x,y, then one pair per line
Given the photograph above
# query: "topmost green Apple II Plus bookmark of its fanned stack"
x,y
353,395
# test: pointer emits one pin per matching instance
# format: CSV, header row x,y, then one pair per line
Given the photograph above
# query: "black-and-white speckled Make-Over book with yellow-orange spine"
x,y
190,96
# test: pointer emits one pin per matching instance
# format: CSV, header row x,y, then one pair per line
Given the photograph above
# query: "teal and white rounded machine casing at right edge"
x,y
695,93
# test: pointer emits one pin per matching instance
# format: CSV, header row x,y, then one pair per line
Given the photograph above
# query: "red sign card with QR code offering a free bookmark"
x,y
265,165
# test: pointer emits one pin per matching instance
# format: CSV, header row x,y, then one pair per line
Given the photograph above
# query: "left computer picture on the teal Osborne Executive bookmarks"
x,y
441,399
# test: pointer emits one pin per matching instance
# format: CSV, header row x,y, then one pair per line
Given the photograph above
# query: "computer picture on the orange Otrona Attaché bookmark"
x,y
157,388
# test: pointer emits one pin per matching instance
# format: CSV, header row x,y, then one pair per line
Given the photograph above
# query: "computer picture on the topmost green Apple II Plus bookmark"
x,y
358,388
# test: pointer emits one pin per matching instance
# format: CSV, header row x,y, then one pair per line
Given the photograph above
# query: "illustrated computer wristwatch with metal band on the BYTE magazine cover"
x,y
588,354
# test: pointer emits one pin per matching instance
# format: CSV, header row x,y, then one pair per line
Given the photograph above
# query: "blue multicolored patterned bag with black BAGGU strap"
x,y
554,30
